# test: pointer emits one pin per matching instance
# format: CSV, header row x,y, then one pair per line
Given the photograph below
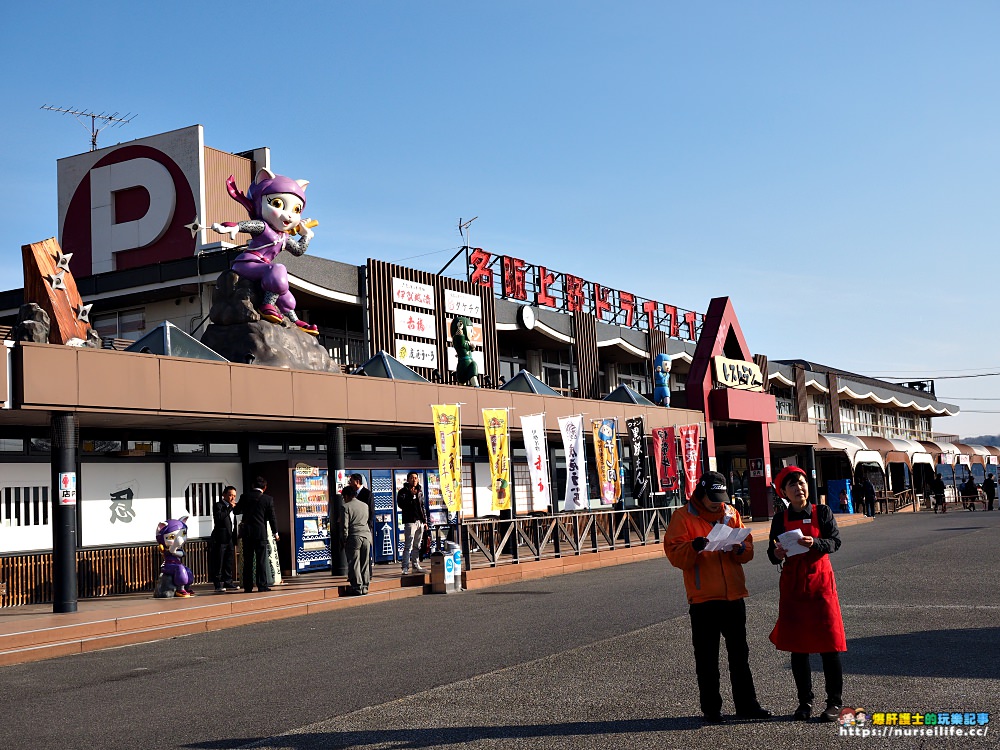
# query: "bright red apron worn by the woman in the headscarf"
x,y
809,620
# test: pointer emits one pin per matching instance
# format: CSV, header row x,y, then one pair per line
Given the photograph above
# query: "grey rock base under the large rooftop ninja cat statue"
x,y
238,334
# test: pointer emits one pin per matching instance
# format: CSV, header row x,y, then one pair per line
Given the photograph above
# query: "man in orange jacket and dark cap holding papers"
x,y
716,589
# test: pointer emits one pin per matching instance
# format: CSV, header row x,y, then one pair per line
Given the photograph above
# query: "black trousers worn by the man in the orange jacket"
x,y
709,622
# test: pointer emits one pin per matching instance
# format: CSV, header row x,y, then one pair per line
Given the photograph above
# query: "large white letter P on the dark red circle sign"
x,y
108,237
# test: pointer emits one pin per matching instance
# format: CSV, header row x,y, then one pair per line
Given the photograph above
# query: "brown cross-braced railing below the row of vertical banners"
x,y
488,543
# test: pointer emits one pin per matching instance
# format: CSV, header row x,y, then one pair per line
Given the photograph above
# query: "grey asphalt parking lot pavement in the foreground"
x,y
600,659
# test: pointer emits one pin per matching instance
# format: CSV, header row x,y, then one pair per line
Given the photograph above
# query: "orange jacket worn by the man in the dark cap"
x,y
708,576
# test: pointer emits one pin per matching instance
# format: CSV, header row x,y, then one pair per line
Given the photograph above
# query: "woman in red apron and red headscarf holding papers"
x,y
809,620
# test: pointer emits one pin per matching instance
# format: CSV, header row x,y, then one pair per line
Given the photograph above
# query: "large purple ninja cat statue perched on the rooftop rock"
x,y
275,205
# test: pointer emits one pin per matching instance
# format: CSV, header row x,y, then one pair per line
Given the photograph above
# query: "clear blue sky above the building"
x,y
833,167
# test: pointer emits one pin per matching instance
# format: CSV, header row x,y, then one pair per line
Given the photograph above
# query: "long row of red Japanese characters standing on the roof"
x,y
513,278
